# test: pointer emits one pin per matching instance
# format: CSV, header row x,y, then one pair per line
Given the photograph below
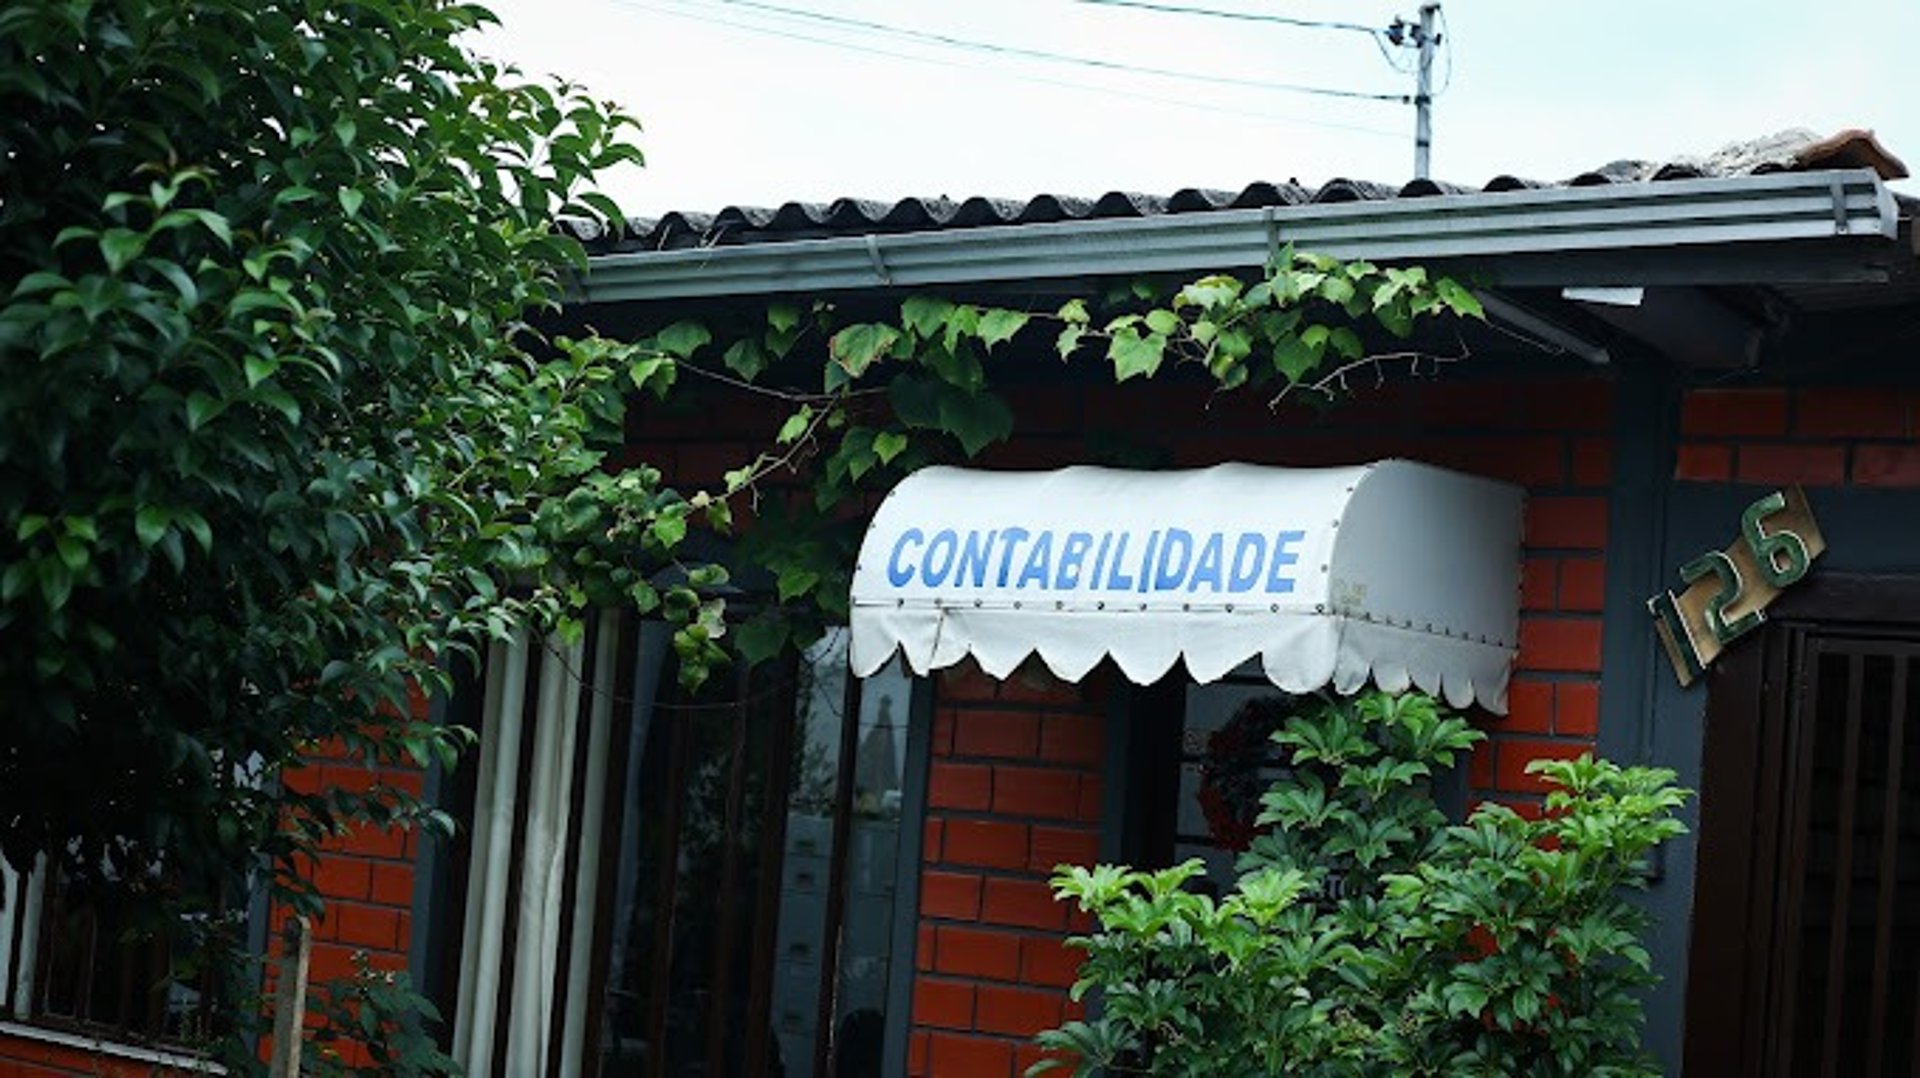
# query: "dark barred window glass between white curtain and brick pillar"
x,y
752,910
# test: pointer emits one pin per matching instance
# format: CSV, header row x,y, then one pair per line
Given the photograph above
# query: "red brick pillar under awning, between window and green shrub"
x,y
1015,789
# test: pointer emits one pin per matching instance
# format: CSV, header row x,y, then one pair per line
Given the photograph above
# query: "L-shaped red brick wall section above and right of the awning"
x,y
1554,437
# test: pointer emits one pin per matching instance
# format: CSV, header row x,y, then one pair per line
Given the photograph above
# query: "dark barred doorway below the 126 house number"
x,y
1808,904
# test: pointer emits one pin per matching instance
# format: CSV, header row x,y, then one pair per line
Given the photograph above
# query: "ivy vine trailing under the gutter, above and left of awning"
x,y
911,391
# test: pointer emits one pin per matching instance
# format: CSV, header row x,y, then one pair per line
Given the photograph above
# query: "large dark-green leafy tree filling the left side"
x,y
277,443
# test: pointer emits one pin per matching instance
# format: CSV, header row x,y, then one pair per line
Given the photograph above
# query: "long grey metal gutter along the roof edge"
x,y
1587,220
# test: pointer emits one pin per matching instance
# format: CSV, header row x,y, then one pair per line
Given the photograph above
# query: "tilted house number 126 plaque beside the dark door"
x,y
1729,591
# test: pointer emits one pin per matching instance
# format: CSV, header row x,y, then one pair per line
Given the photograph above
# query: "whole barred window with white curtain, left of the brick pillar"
x,y
669,883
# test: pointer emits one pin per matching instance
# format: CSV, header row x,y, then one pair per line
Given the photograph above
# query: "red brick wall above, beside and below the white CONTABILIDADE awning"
x,y
1017,770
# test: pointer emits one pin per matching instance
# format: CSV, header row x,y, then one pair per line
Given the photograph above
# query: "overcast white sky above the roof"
x,y
744,105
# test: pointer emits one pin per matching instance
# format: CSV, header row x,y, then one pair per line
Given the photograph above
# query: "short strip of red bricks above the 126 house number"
x,y
1813,437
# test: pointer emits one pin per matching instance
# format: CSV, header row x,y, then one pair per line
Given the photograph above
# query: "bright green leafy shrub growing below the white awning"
x,y
1368,937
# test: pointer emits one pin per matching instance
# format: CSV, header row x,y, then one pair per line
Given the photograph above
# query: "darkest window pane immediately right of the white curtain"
x,y
698,875
